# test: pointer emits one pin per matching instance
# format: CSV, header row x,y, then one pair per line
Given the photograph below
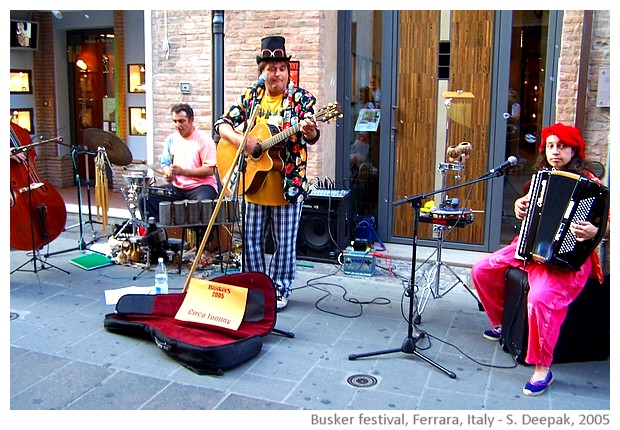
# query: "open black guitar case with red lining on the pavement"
x,y
203,348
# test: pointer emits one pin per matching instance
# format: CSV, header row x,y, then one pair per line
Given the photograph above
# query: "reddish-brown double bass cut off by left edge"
x,y
38,212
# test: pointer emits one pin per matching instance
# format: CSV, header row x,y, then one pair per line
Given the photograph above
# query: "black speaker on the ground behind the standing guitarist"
x,y
323,231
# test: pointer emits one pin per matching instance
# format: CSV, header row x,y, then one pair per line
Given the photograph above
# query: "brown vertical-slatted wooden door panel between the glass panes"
x,y
471,48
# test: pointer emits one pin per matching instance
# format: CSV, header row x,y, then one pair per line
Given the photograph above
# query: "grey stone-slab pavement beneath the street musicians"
x,y
62,358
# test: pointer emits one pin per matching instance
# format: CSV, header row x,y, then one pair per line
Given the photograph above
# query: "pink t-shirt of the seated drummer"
x,y
196,151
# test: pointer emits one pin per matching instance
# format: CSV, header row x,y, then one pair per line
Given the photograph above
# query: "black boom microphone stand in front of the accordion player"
x,y
409,344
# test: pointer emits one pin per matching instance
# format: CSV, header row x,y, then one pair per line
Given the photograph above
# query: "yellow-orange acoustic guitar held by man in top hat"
x,y
270,158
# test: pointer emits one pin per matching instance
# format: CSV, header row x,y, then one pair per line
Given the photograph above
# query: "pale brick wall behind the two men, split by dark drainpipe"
x,y
189,59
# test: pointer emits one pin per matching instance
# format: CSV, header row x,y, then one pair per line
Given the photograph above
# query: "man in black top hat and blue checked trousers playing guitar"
x,y
274,206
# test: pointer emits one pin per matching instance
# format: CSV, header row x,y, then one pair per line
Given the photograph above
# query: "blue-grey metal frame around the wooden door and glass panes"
x,y
497,129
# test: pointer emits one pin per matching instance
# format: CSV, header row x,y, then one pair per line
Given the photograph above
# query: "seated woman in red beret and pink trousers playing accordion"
x,y
552,289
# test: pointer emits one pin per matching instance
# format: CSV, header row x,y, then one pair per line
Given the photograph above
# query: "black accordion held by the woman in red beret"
x,y
558,199
